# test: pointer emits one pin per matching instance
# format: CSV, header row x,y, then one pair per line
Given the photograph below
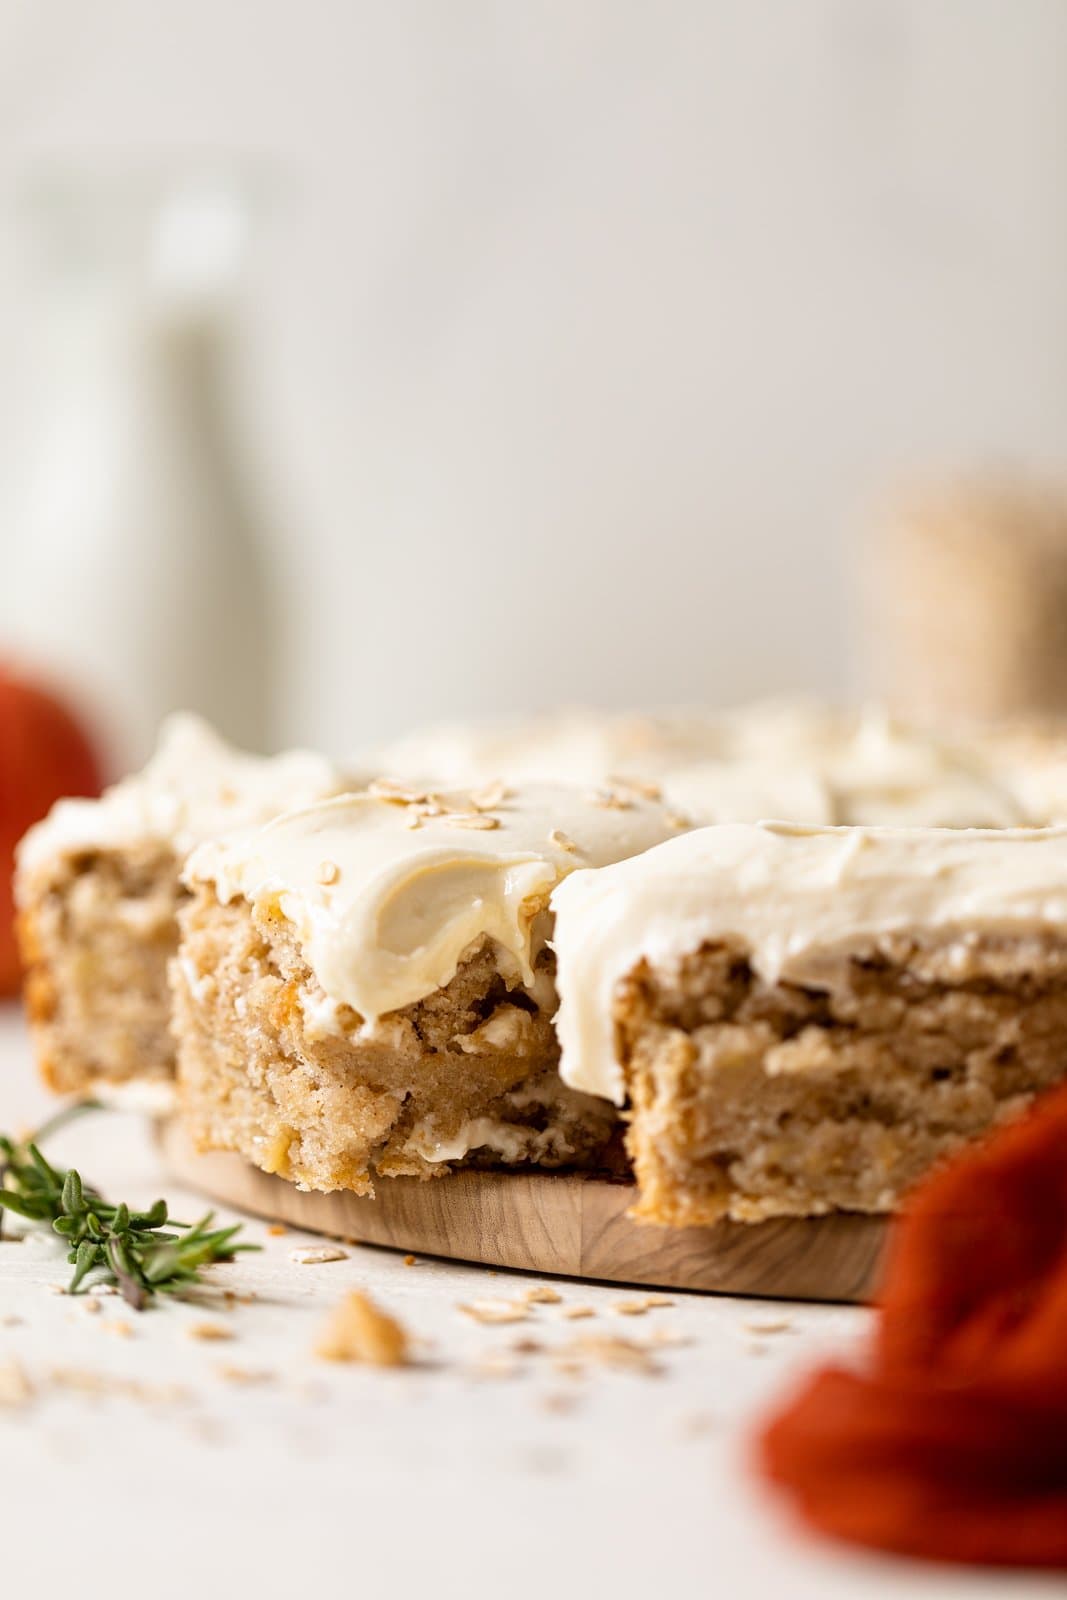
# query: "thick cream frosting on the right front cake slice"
x,y
794,898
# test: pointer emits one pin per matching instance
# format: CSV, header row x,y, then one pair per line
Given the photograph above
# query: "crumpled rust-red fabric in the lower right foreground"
x,y
953,1441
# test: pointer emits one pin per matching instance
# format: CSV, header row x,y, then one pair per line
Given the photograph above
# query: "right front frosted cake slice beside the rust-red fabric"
x,y
804,1020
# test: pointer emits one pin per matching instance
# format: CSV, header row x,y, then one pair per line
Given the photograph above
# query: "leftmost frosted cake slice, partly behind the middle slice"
x,y
98,892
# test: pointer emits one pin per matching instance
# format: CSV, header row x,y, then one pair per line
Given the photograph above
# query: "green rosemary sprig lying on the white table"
x,y
143,1254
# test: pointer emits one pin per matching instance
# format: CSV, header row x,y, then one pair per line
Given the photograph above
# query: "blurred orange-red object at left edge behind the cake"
x,y
44,756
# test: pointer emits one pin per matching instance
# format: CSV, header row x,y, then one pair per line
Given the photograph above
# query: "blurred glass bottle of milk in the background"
x,y
137,574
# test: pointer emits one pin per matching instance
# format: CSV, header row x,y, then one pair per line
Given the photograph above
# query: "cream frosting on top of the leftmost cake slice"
x,y
194,788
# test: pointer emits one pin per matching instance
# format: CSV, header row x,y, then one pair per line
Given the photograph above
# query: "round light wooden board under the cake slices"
x,y
564,1225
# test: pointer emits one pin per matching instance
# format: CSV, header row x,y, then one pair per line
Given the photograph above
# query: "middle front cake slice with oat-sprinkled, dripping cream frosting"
x,y
366,988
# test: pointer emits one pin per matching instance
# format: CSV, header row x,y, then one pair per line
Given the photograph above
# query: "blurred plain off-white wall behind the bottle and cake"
x,y
588,335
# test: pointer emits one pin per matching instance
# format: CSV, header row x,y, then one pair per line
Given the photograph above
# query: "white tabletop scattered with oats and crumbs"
x,y
436,1479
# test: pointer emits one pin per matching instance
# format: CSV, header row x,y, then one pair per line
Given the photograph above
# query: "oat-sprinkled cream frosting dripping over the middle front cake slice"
x,y
388,889
